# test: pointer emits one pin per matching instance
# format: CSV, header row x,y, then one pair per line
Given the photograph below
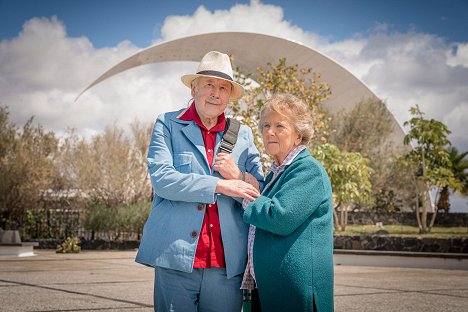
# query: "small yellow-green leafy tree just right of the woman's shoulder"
x,y
350,178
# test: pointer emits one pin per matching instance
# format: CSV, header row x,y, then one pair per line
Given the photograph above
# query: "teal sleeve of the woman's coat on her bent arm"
x,y
301,193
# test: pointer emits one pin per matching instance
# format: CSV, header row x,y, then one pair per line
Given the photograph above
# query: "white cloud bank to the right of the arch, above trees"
x,y
412,68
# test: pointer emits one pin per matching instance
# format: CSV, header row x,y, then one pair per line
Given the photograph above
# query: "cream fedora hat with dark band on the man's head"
x,y
217,65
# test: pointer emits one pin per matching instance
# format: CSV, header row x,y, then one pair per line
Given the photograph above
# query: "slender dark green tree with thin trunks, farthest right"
x,y
428,162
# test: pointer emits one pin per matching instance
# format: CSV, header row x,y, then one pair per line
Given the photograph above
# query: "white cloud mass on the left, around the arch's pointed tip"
x,y
43,70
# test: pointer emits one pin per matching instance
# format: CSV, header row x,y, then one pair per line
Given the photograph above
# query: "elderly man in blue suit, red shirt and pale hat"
x,y
195,236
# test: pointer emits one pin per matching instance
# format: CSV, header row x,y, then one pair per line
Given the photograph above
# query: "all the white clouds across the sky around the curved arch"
x,y
43,69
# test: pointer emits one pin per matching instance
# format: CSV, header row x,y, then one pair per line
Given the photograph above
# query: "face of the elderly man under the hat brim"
x,y
211,96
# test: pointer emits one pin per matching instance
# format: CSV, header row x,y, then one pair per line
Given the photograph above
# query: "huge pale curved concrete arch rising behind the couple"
x,y
252,50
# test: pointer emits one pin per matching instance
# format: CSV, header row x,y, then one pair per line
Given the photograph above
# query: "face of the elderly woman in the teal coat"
x,y
279,135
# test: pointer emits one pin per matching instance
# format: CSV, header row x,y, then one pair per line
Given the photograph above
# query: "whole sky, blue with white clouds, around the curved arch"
x,y
407,52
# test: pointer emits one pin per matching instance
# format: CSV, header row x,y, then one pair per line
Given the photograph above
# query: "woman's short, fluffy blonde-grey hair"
x,y
295,109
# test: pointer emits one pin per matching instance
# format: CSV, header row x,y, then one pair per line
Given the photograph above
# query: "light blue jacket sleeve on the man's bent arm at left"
x,y
169,183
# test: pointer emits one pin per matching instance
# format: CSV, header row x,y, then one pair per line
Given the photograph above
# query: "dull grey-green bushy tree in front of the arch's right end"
x,y
367,129
